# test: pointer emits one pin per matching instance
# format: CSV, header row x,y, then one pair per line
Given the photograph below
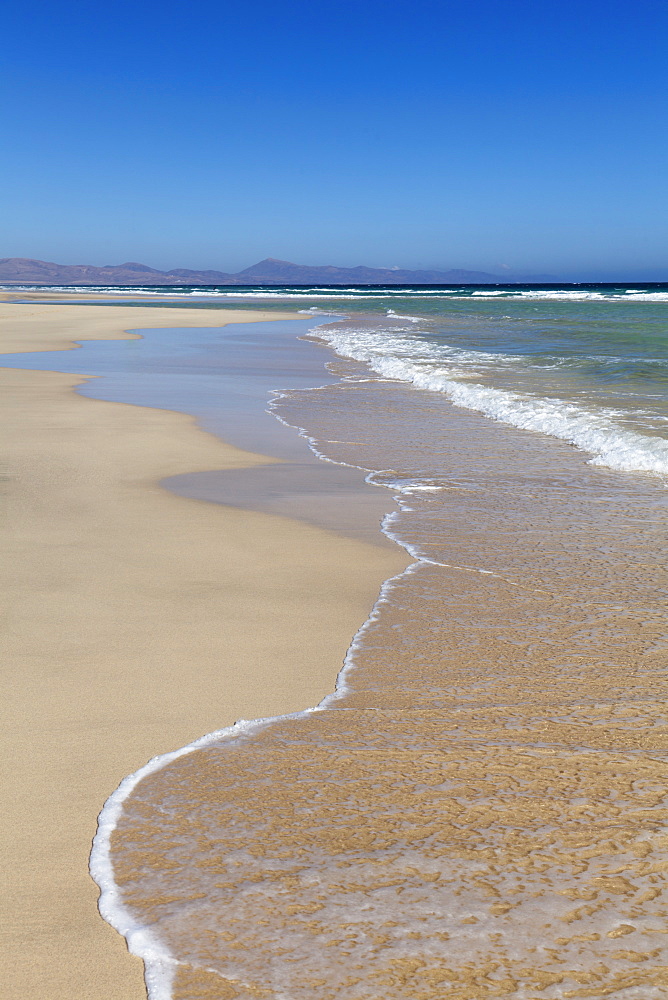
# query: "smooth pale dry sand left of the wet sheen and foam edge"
x,y
136,621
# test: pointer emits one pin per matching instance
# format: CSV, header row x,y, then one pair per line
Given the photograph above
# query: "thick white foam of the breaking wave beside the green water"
x,y
439,369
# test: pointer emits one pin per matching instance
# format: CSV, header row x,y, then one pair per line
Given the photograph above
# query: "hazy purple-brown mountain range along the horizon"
x,y
23,270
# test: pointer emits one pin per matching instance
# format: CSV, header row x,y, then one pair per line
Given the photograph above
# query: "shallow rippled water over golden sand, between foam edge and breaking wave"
x,y
480,809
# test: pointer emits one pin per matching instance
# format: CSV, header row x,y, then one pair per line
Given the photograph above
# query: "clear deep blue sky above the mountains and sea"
x,y
480,133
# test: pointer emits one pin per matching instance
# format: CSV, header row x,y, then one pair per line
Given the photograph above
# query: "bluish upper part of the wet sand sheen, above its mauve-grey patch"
x,y
223,376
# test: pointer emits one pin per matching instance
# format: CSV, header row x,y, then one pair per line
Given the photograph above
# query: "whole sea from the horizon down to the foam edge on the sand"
x,y
478,809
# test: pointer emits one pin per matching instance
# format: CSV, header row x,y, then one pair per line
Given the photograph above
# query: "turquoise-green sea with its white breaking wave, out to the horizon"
x,y
584,363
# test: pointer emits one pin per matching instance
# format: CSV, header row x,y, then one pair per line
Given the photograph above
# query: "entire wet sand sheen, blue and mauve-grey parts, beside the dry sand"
x,y
224,377
